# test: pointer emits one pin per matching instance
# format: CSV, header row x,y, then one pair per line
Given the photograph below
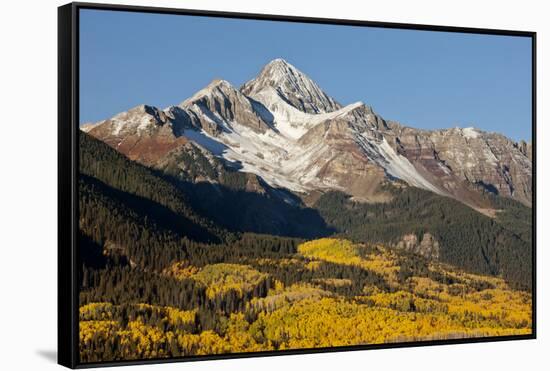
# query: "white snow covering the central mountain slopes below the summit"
x,y
277,154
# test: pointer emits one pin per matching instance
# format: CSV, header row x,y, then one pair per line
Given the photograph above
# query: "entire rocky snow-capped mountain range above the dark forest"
x,y
284,128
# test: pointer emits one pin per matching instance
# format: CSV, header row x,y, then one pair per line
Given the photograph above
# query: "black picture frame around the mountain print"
x,y
68,127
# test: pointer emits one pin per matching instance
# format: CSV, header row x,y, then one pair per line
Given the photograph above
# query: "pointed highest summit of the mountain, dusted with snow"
x,y
292,86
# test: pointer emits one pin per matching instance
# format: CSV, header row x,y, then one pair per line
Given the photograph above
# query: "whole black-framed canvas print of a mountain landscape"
x,y
236,185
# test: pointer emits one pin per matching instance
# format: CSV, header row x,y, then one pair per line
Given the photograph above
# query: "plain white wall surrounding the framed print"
x,y
28,182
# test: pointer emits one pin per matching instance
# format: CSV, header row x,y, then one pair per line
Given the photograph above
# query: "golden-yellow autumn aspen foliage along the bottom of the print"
x,y
421,301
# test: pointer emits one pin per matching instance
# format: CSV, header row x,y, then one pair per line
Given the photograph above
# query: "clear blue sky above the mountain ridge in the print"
x,y
423,79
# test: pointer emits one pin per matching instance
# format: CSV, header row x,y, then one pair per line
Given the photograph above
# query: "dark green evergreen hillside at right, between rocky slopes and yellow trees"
x,y
467,239
